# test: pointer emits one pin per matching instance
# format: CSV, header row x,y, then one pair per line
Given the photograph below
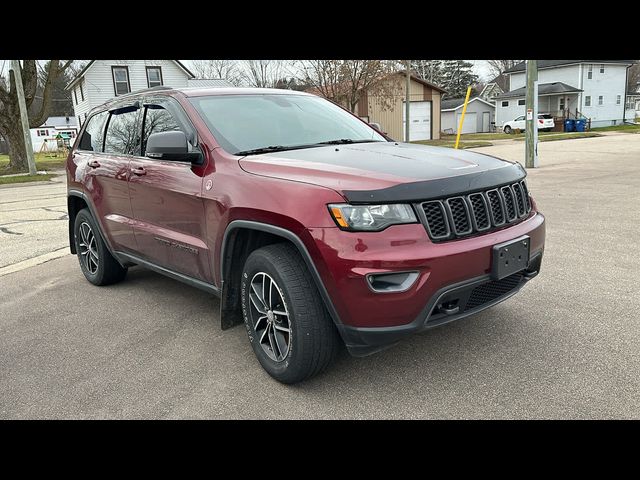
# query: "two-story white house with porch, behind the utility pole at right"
x,y
593,89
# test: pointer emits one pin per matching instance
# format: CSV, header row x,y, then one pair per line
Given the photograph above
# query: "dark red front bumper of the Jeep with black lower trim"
x,y
457,270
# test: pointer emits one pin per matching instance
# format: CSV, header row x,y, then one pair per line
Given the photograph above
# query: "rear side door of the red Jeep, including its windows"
x,y
107,171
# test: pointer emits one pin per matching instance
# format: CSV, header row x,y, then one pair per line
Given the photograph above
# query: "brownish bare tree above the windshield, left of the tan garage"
x,y
344,81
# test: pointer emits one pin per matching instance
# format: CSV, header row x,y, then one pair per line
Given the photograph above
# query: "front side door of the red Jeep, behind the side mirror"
x,y
166,198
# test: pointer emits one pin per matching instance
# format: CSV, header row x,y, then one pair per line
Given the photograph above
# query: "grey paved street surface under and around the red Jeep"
x,y
566,347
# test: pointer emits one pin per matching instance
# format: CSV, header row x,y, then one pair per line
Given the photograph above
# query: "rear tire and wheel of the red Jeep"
x,y
96,263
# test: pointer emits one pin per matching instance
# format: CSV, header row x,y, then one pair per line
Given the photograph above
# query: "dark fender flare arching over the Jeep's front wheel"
x,y
300,246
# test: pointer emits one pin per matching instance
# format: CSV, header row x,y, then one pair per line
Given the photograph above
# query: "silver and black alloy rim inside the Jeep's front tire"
x,y
270,317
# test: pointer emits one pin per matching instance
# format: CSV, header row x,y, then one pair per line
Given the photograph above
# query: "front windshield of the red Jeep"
x,y
244,124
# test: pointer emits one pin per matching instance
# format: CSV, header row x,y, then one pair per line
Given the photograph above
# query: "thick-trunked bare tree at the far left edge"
x,y
10,126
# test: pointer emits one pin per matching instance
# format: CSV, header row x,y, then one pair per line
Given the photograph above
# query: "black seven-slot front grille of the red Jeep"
x,y
477,212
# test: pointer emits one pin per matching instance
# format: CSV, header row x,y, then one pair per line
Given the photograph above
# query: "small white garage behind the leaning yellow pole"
x,y
478,117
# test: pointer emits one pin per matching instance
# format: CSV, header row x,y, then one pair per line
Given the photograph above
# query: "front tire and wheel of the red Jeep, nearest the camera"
x,y
312,340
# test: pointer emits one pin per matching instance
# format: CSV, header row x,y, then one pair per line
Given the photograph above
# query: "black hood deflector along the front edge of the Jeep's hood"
x,y
439,187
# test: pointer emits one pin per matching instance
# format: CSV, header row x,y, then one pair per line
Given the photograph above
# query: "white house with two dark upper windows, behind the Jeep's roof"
x,y
101,80
